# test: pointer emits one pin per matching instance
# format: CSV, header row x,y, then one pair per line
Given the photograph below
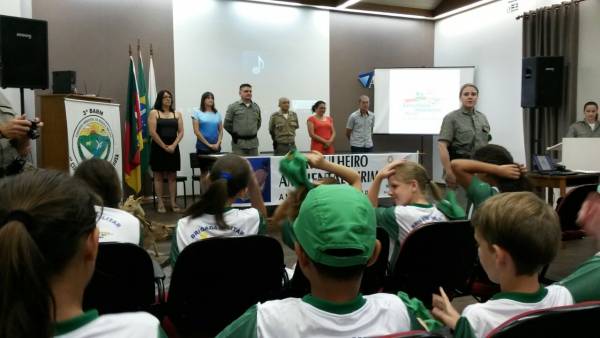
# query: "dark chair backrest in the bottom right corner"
x,y
578,320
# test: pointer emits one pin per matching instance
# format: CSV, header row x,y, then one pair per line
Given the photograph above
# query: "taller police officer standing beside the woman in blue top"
x,y
242,121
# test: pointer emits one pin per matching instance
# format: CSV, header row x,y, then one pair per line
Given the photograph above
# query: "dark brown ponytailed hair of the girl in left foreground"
x,y
44,216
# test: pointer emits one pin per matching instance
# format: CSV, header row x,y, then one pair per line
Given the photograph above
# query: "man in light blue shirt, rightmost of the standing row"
x,y
359,129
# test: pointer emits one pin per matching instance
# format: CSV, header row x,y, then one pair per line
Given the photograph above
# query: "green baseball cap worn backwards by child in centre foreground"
x,y
335,217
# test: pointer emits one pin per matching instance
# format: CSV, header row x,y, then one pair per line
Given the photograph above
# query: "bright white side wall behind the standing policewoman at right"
x,y
490,39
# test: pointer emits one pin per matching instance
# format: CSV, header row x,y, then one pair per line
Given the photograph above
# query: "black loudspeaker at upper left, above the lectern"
x,y
23,53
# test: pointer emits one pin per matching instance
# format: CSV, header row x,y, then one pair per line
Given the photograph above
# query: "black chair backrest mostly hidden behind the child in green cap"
x,y
374,277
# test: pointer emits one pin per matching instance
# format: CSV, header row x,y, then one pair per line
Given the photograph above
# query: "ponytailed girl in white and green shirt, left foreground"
x,y
48,248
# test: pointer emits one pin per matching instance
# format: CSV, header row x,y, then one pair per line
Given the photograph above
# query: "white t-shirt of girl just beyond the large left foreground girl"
x,y
117,225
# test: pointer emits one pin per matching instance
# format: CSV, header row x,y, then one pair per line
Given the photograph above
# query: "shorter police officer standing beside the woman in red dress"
x,y
282,127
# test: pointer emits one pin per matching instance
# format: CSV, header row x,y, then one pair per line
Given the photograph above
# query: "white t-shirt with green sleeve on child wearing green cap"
x,y
369,316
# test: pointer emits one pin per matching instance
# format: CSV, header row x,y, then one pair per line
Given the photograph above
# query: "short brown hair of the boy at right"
x,y
522,224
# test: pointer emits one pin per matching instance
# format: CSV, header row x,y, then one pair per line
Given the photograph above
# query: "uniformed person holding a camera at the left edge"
x,y
15,134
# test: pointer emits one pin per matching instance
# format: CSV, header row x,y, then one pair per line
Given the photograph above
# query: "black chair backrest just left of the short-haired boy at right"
x,y
436,254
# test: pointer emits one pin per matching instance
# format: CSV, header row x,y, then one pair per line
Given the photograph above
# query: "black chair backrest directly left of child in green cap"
x,y
215,280
